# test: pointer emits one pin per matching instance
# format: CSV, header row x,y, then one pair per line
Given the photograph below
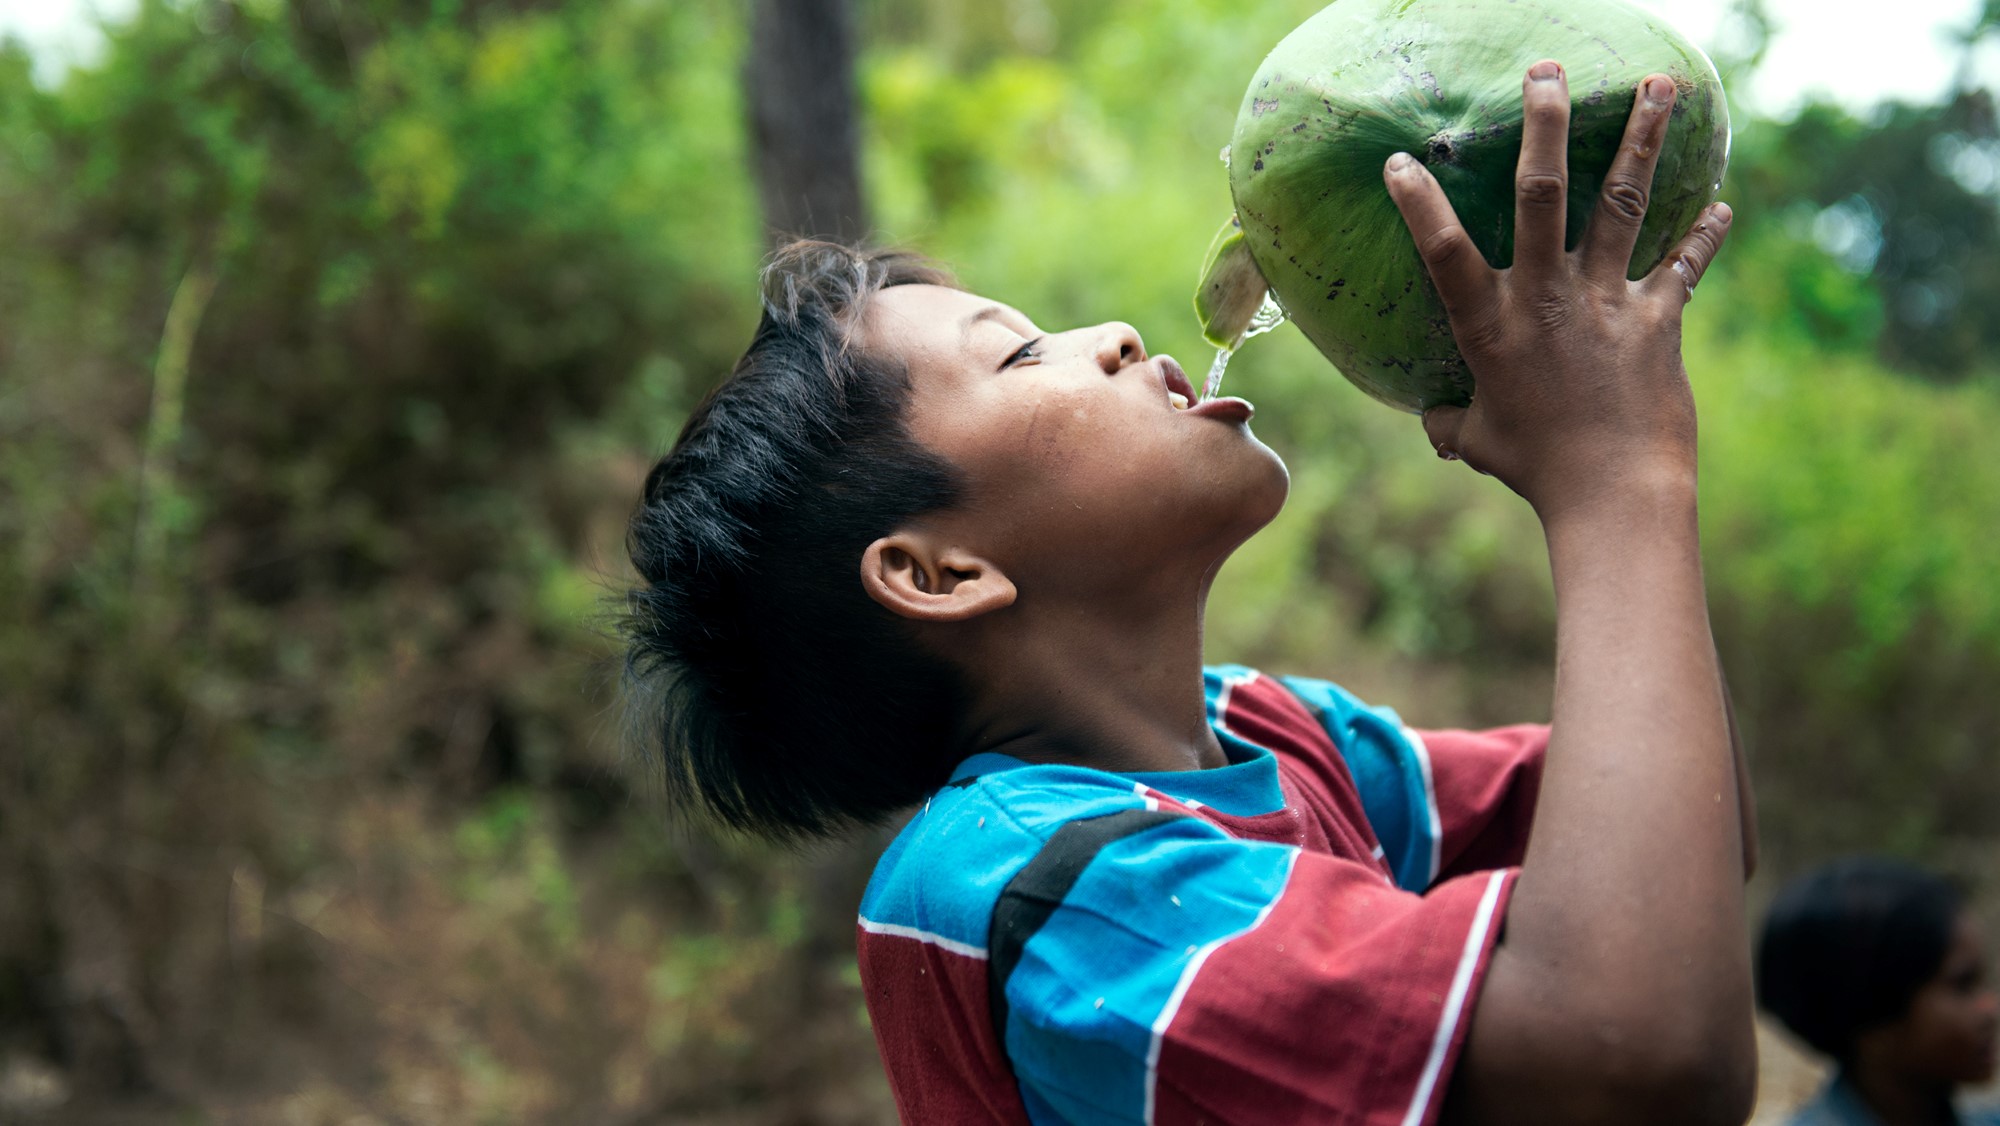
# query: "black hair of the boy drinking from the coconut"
x,y
777,693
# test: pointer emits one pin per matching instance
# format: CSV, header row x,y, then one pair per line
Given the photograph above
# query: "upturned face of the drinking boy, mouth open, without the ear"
x,y
1081,457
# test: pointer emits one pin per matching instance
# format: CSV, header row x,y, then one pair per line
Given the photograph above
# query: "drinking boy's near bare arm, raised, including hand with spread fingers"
x,y
1621,991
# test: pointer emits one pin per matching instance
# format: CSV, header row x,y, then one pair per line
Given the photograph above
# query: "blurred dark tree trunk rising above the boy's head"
x,y
805,129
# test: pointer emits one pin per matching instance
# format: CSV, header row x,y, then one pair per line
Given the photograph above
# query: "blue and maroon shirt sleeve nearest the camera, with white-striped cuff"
x,y
1151,969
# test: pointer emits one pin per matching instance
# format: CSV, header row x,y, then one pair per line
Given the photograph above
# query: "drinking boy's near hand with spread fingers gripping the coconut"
x,y
1579,379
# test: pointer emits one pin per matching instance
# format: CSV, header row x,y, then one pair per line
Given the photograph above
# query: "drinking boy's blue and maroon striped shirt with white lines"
x,y
1295,937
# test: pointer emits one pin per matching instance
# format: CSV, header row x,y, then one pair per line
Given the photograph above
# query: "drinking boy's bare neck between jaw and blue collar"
x,y
1107,687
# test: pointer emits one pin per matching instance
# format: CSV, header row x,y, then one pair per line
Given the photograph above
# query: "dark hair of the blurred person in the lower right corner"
x,y
1849,947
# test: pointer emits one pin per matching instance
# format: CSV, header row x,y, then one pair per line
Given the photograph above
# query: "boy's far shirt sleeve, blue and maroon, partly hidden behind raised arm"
x,y
1443,803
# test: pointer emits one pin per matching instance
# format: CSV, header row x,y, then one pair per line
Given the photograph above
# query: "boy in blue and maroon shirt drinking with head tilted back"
x,y
921,551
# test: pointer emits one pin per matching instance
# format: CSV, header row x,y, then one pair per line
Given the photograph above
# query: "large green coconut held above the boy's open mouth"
x,y
1441,81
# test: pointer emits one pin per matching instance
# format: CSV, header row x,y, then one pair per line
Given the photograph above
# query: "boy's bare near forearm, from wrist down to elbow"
x,y
1627,919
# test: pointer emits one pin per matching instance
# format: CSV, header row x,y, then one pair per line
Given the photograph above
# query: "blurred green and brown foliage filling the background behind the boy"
x,y
335,341
